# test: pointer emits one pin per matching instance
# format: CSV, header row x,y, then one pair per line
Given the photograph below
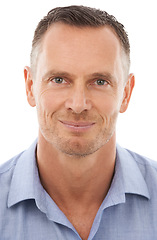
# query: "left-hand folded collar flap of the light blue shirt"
x,y
25,180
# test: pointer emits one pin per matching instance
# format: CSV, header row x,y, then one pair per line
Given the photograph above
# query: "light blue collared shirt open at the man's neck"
x,y
128,212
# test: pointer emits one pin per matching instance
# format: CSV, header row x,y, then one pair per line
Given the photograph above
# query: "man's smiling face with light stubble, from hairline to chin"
x,y
78,88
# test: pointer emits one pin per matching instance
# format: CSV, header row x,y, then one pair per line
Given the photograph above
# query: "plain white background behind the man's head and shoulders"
x,y
136,129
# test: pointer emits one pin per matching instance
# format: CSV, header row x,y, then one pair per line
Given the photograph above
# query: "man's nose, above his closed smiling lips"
x,y
78,101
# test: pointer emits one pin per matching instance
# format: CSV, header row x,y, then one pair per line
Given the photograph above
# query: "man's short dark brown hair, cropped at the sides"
x,y
80,16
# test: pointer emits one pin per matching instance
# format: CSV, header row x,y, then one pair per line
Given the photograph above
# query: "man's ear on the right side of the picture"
x,y
127,92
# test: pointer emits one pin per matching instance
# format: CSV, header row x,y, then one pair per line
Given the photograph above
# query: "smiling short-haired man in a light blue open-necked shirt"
x,y
75,182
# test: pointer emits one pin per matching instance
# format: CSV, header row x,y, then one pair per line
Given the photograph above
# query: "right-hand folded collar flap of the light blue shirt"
x,y
127,179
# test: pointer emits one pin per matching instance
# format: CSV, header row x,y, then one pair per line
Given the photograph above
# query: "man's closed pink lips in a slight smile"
x,y
78,126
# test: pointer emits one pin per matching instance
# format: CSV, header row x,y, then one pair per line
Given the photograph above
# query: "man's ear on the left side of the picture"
x,y
29,84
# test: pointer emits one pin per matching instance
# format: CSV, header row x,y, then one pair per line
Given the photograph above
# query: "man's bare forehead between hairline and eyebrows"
x,y
75,43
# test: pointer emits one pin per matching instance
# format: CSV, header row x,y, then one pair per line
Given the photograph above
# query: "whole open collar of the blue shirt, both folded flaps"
x,y
26,184
